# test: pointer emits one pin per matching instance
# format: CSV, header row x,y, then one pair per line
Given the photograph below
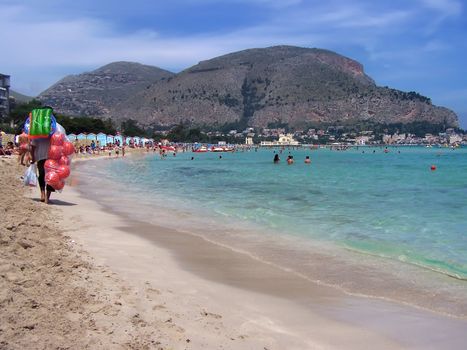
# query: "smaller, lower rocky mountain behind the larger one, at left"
x,y
96,93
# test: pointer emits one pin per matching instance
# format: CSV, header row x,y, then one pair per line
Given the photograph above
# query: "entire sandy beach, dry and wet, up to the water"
x,y
76,275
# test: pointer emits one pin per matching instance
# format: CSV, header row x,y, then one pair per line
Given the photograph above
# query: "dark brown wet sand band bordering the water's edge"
x,y
185,260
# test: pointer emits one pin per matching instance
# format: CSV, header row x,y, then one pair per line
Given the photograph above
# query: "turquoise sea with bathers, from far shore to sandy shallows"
x,y
386,209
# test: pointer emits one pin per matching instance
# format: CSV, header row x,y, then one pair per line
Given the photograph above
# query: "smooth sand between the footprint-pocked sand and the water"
x,y
258,300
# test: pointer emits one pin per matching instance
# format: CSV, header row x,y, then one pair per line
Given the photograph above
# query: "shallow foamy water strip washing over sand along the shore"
x,y
355,273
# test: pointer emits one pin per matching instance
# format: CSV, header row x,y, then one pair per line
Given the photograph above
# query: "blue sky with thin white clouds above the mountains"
x,y
412,45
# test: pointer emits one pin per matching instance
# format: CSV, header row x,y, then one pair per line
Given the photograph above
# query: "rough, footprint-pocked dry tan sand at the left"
x,y
52,295
